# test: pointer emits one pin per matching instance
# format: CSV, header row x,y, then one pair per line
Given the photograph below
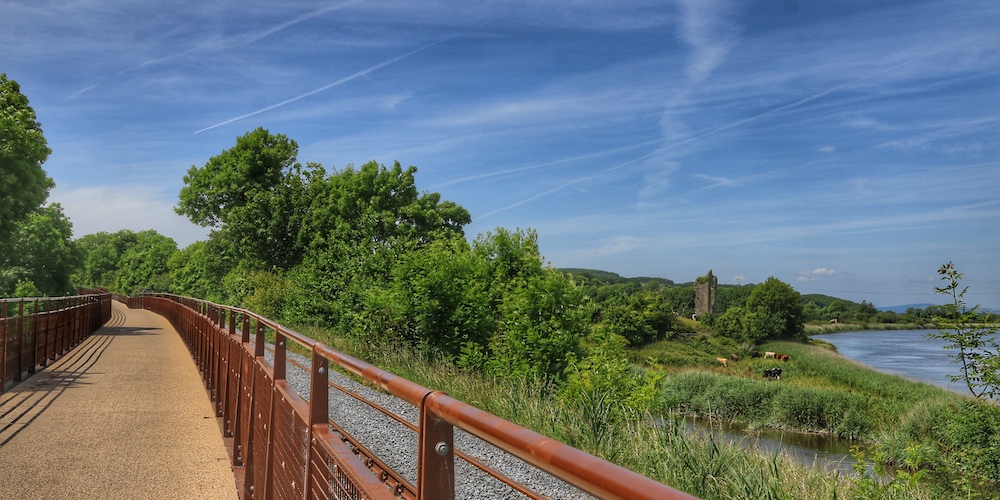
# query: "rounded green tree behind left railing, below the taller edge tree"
x,y
43,246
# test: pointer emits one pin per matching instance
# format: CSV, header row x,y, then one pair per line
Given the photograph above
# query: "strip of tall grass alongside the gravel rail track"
x,y
659,448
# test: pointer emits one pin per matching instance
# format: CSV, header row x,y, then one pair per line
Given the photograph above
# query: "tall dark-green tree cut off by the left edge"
x,y
23,183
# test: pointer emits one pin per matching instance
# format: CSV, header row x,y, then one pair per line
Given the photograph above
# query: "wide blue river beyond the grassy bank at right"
x,y
907,353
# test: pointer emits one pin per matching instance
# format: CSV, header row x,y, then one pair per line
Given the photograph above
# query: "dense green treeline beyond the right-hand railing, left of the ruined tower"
x,y
358,250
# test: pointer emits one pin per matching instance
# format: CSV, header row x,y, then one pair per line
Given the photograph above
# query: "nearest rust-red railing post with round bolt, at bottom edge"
x,y
435,454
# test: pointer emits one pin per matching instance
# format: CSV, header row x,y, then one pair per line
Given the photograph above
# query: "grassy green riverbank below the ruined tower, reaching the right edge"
x,y
898,422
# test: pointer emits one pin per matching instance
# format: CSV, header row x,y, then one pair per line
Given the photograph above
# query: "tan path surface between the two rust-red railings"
x,y
124,415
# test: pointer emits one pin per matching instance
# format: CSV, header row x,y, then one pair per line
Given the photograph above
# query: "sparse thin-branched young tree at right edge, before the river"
x,y
978,351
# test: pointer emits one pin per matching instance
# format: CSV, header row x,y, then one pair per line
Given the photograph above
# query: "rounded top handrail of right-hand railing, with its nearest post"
x,y
439,413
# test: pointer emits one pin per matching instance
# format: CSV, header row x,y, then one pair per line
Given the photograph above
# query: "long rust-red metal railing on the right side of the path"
x,y
284,446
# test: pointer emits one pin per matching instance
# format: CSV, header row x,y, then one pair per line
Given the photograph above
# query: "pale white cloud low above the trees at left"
x,y
133,207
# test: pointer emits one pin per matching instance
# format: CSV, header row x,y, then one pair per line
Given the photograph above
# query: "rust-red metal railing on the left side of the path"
x,y
34,331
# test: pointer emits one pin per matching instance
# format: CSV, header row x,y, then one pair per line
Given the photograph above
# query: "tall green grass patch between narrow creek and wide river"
x,y
818,391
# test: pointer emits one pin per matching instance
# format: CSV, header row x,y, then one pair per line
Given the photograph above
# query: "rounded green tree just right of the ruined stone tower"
x,y
774,311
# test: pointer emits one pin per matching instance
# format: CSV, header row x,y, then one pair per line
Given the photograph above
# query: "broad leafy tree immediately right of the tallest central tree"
x,y
359,223
